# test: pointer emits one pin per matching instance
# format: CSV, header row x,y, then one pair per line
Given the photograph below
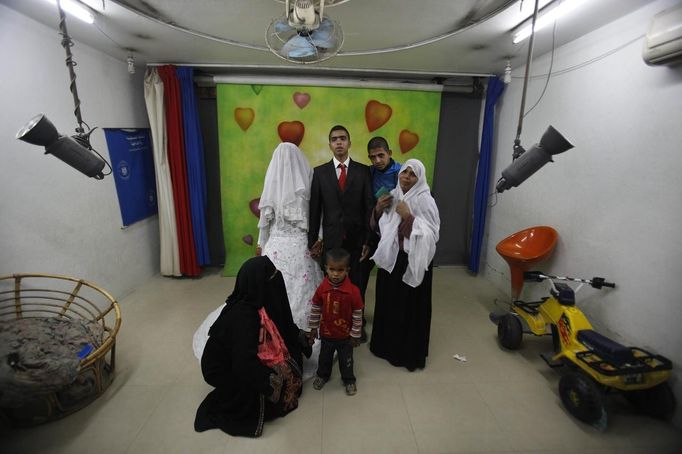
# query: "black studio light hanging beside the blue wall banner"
x,y
75,151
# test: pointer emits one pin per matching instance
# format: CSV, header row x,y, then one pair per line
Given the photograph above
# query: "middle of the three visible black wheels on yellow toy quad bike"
x,y
582,397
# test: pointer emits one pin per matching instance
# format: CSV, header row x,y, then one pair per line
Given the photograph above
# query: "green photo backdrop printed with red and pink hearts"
x,y
254,119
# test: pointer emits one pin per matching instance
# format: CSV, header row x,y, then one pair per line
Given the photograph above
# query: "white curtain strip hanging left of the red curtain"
x,y
153,97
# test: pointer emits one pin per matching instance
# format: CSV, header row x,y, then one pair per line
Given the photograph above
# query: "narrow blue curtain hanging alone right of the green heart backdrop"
x,y
495,89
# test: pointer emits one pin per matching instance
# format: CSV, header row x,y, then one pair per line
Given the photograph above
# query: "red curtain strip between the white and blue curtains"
x,y
178,170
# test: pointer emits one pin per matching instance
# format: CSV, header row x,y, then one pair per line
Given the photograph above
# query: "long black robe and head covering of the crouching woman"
x,y
239,403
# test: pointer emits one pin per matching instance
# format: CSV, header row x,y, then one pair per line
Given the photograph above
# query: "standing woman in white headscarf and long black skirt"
x,y
408,223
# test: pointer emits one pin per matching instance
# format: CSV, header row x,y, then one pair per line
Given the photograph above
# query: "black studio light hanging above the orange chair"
x,y
529,162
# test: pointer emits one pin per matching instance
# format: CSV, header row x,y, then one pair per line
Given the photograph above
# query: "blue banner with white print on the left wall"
x,y
132,161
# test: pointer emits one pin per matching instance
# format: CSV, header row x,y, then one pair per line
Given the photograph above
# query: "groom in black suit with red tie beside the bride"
x,y
341,199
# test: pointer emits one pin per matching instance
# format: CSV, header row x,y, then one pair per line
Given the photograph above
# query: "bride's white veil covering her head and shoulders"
x,y
286,190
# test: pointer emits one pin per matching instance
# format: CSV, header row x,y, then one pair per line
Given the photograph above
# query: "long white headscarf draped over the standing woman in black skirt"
x,y
421,245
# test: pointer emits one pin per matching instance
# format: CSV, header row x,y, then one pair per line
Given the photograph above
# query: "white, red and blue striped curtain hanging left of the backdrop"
x,y
179,164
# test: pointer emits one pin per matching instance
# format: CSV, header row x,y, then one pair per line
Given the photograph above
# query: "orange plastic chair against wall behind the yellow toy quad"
x,y
525,248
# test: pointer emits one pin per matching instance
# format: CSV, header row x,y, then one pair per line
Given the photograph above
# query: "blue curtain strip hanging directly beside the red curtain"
x,y
194,156
